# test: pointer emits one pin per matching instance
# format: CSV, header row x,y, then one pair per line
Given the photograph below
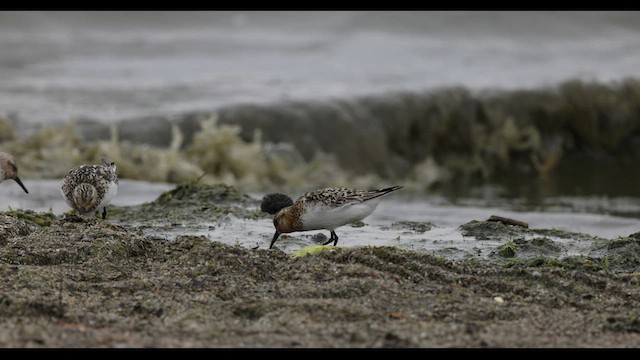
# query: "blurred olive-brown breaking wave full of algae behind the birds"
x,y
562,136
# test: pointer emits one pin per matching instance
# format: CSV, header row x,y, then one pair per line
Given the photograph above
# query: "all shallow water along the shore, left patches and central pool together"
x,y
382,228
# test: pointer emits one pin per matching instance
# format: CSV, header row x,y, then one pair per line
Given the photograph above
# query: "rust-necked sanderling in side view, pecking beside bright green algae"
x,y
327,209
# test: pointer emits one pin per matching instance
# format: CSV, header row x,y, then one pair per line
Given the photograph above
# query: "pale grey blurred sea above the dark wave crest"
x,y
110,66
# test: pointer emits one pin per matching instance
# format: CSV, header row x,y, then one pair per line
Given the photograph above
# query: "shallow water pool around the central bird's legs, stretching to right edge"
x,y
445,238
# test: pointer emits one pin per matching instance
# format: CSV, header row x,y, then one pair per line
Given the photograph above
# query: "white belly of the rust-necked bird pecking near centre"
x,y
324,217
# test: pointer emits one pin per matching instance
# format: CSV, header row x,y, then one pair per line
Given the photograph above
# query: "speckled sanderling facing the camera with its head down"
x,y
87,188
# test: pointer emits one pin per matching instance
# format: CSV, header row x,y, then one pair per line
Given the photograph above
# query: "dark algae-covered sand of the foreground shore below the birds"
x,y
69,282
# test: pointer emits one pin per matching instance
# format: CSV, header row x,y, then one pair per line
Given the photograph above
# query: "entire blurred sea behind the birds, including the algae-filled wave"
x,y
516,110
